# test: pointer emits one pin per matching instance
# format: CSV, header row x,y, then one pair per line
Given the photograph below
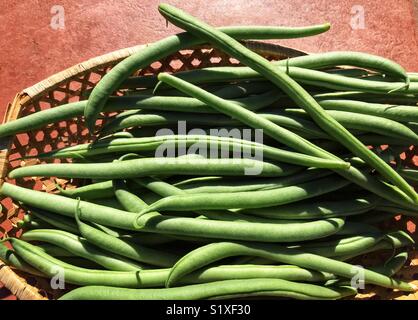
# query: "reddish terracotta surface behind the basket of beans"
x,y
31,49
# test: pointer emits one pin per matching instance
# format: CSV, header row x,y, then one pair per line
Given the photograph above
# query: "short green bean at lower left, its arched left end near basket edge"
x,y
80,247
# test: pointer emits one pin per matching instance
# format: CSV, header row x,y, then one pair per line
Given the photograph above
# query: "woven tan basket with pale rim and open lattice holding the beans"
x,y
69,86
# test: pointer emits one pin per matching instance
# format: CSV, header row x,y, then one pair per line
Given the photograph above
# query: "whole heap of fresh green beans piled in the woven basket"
x,y
290,224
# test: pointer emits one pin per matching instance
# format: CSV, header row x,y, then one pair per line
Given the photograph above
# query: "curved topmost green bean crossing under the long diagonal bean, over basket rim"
x,y
160,49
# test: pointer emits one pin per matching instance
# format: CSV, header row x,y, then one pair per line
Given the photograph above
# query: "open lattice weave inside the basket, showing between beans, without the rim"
x,y
71,132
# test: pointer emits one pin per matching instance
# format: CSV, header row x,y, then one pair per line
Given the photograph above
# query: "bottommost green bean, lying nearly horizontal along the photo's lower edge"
x,y
228,288
